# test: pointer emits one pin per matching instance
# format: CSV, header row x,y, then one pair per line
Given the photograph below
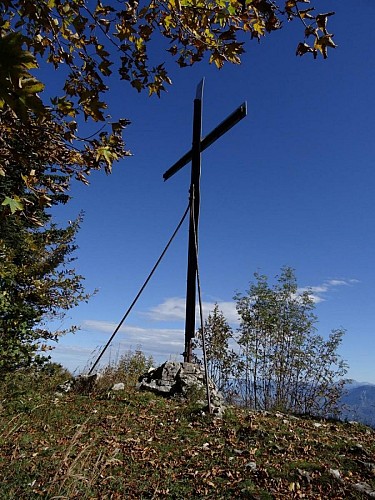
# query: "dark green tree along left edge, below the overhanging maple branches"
x,y
37,281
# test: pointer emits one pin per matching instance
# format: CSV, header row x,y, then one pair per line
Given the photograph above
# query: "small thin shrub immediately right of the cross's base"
x,y
221,359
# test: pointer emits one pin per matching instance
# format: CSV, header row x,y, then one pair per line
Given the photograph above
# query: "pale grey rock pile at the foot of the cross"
x,y
178,379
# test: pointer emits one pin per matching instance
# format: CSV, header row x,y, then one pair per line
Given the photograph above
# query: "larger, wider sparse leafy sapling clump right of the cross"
x,y
285,364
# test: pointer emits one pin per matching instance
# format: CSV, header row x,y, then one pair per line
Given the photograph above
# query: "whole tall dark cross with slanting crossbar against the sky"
x,y
194,155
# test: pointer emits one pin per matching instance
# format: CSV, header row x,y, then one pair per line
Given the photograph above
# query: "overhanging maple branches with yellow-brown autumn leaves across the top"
x,y
85,43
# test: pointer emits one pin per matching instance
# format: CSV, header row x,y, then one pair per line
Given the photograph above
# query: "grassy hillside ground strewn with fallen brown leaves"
x,y
137,445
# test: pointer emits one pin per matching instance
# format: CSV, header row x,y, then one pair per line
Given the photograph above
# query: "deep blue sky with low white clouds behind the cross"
x,y
292,184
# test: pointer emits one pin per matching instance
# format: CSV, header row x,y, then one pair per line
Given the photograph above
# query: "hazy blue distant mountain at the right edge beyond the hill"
x,y
359,403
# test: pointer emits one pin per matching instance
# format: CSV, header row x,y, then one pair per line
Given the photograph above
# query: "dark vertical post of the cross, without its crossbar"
x,y
193,225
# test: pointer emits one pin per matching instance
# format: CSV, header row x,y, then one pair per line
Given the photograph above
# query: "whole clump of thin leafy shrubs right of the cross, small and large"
x,y
276,360
